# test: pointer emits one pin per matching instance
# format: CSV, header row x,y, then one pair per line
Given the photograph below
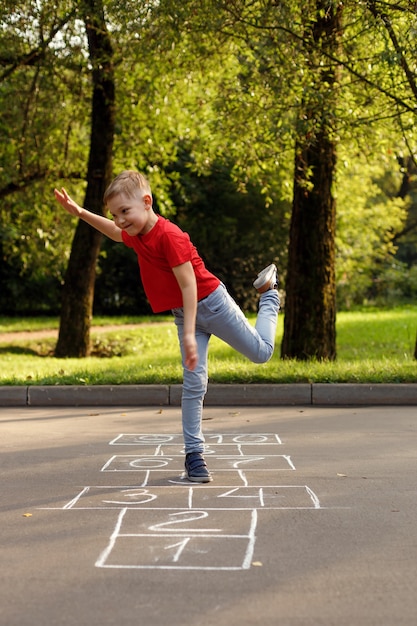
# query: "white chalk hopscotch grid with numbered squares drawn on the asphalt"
x,y
164,522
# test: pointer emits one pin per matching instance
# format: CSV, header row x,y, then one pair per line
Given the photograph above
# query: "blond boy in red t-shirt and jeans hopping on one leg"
x,y
175,278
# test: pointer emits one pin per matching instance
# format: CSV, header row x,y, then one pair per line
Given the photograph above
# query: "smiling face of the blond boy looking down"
x,y
134,215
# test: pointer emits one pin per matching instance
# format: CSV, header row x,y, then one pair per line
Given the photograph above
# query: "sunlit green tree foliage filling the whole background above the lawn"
x,y
210,103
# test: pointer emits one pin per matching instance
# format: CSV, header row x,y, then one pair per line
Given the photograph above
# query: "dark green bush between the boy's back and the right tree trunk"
x,y
238,231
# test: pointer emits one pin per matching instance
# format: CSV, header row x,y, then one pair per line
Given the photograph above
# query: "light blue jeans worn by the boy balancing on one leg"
x,y
219,315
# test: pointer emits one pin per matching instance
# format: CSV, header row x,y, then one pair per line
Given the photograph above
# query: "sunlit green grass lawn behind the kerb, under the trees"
x,y
373,346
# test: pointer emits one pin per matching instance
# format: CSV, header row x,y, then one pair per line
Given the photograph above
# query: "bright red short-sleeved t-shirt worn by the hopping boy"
x,y
165,246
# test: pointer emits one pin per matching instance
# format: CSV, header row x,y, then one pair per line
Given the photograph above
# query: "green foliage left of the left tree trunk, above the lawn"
x,y
41,136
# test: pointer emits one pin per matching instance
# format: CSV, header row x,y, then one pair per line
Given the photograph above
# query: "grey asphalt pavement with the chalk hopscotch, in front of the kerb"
x,y
310,519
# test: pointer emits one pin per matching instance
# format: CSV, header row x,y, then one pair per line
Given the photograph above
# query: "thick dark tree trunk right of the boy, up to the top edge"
x,y
310,305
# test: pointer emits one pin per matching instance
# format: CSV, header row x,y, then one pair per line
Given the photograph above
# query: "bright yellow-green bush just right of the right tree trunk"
x,y
369,214
